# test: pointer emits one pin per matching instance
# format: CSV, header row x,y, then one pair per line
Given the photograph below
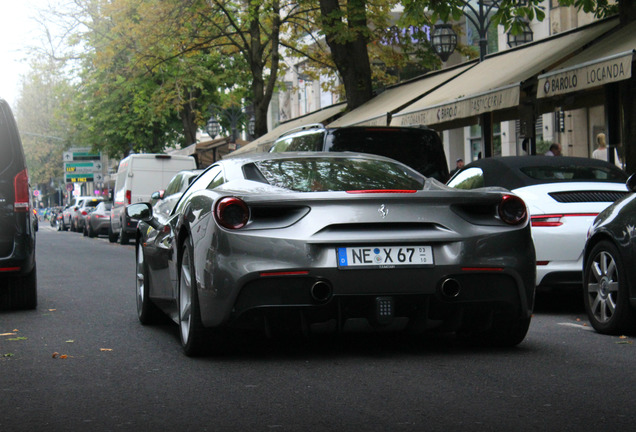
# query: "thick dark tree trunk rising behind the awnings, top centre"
x,y
350,56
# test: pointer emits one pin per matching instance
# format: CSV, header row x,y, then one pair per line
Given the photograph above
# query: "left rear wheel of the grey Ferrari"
x,y
191,329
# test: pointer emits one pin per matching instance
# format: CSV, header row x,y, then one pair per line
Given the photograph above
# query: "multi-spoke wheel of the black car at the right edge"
x,y
605,292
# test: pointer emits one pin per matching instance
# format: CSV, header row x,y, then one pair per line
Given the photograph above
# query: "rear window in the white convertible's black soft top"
x,y
574,173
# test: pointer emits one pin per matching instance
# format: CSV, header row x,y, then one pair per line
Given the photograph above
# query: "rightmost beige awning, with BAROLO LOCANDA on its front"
x,y
606,61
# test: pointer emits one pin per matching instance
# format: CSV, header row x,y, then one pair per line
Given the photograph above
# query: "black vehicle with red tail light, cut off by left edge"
x,y
18,282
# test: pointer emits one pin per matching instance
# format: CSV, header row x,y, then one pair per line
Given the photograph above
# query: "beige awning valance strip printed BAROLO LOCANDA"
x,y
586,75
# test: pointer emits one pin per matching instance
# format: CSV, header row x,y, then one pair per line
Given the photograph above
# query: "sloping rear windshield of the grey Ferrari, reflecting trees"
x,y
335,174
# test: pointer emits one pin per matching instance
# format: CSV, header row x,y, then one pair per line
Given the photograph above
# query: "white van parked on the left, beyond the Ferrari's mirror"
x,y
138,176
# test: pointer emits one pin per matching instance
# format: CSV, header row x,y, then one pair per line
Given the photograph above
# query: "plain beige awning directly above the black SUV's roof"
x,y
395,98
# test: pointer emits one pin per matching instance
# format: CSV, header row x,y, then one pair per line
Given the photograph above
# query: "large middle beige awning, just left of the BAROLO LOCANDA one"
x,y
495,83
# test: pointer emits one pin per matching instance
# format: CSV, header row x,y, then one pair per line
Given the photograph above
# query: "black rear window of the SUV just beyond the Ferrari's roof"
x,y
420,149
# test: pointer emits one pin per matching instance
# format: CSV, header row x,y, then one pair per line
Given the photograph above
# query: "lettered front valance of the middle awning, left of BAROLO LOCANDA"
x,y
502,98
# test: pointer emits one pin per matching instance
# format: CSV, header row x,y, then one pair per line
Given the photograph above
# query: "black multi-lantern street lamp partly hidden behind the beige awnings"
x,y
478,12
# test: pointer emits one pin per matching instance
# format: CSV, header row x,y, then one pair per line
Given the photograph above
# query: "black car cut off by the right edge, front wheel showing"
x,y
609,281
